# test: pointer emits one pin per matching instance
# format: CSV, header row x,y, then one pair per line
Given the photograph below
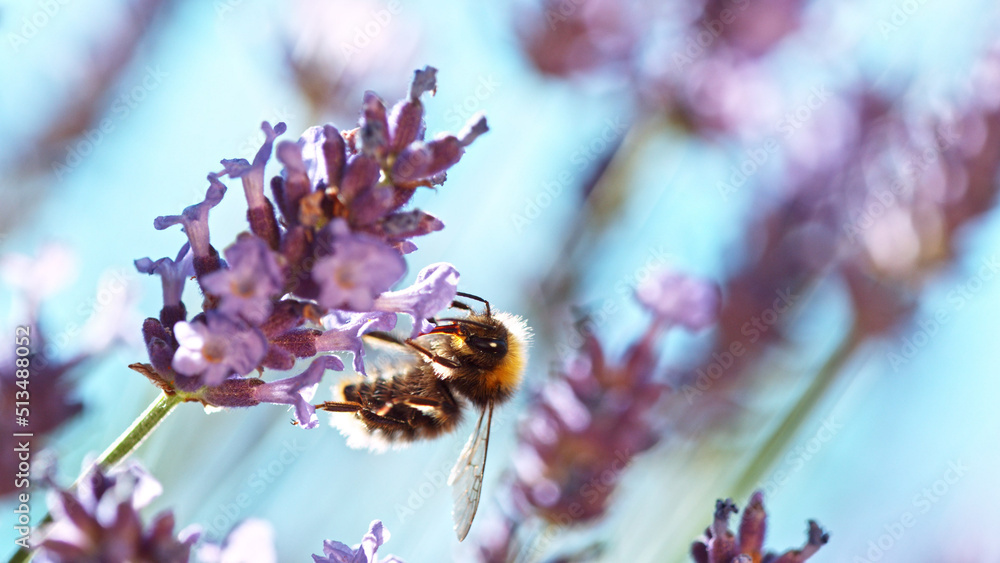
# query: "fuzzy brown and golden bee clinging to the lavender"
x,y
477,359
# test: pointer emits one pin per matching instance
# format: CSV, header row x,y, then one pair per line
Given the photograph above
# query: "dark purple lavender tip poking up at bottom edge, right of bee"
x,y
720,545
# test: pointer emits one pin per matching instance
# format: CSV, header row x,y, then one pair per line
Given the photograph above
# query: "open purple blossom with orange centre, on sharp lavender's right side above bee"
x,y
358,270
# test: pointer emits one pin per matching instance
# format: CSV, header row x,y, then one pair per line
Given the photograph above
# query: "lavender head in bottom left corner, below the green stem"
x,y
100,521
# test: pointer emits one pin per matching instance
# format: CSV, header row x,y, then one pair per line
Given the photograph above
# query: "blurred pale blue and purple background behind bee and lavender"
x,y
625,137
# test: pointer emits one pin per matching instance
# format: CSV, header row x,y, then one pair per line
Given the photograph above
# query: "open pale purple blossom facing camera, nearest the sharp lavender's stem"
x,y
217,348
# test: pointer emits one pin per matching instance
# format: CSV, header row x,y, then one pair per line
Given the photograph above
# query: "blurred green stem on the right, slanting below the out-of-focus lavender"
x,y
778,441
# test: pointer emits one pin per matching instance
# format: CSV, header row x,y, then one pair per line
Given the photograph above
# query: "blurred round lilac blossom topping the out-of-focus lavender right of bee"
x,y
678,299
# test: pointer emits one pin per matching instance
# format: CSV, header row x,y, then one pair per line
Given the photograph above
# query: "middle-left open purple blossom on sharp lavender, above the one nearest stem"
x,y
247,286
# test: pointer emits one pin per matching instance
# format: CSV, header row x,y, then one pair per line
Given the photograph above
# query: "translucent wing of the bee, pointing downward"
x,y
466,477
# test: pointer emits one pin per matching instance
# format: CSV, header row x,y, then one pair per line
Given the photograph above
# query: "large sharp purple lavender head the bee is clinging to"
x,y
313,279
